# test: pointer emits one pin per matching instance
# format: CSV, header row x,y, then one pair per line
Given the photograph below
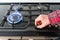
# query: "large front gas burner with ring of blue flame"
x,y
15,17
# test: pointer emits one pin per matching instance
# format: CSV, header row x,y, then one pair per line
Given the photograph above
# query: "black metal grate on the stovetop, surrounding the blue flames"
x,y
29,15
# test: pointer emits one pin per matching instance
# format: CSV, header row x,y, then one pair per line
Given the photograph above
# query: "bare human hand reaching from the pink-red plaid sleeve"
x,y
42,21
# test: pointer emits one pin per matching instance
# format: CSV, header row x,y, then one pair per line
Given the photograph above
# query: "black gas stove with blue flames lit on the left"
x,y
17,19
